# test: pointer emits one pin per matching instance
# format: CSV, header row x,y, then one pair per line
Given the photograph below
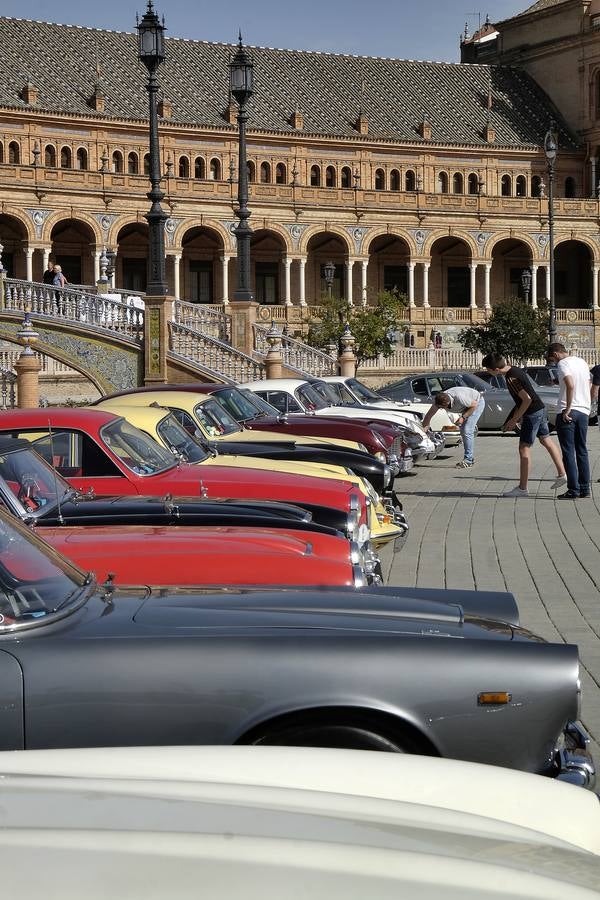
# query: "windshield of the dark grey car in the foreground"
x,y
34,580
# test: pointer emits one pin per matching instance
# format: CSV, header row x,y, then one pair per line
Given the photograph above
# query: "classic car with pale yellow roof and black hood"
x,y
198,415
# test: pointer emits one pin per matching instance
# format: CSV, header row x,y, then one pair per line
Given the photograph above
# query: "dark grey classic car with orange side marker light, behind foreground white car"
x,y
89,666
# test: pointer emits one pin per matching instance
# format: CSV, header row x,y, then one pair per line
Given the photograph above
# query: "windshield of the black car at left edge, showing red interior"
x,y
30,485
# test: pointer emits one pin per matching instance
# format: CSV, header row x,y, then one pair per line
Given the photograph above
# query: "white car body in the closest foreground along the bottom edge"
x,y
277,822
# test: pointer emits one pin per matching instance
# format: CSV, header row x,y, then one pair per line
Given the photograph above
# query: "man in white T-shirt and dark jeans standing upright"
x,y
572,414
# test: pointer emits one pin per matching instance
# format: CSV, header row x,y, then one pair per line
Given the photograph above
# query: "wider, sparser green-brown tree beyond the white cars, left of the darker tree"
x,y
373,327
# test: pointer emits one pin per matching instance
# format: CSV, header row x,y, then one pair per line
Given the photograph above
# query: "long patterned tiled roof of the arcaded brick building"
x,y
329,89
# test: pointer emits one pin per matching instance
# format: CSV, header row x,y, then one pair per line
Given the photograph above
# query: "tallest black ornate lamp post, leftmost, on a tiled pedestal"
x,y
151,52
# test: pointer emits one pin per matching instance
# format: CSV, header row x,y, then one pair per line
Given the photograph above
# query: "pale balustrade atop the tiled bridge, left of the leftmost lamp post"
x,y
103,311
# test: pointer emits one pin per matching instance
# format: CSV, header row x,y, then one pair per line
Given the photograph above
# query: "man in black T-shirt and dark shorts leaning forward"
x,y
530,412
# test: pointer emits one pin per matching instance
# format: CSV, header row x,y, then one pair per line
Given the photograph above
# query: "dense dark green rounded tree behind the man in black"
x,y
517,331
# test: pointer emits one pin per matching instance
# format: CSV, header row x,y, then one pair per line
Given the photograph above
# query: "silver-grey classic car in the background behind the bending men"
x,y
425,385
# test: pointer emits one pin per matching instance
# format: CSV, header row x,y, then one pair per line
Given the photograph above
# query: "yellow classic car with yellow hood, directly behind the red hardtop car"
x,y
386,519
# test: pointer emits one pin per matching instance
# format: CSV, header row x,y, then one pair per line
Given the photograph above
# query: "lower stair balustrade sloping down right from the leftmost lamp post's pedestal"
x,y
210,353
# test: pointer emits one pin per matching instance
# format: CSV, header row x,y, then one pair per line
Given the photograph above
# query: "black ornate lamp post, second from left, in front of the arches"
x,y
241,85
